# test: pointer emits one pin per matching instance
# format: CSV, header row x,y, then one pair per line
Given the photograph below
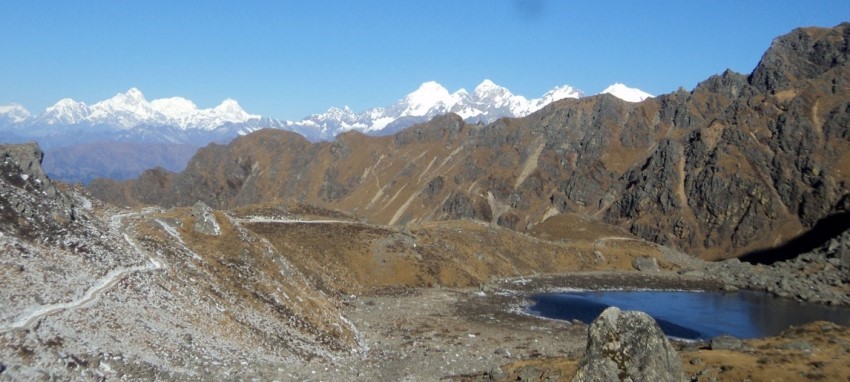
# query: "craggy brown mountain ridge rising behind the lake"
x,y
738,164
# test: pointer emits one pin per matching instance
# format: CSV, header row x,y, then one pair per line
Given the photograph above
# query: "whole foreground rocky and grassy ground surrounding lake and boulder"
x,y
292,291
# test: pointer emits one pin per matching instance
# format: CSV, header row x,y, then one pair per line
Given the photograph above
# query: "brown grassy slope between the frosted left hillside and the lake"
x,y
354,257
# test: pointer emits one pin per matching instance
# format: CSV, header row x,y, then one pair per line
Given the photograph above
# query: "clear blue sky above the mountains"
x,y
287,59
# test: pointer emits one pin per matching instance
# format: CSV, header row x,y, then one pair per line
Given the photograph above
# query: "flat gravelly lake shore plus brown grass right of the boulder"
x,y
480,334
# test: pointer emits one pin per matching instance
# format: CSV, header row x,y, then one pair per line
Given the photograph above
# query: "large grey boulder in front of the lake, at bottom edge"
x,y
628,346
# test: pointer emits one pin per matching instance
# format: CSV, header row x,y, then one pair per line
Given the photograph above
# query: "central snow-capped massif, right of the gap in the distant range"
x,y
487,103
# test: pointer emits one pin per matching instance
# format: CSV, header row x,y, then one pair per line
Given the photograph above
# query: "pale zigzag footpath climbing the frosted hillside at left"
x,y
33,314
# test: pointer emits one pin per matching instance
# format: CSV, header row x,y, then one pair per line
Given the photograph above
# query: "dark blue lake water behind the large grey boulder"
x,y
693,315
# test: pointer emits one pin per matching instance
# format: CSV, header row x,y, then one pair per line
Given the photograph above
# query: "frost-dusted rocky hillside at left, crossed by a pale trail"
x,y
92,292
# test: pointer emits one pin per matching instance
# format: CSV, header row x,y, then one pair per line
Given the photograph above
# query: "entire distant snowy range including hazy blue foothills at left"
x,y
76,136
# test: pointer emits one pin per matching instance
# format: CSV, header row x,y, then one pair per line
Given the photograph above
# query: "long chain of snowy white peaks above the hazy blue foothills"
x,y
130,117
